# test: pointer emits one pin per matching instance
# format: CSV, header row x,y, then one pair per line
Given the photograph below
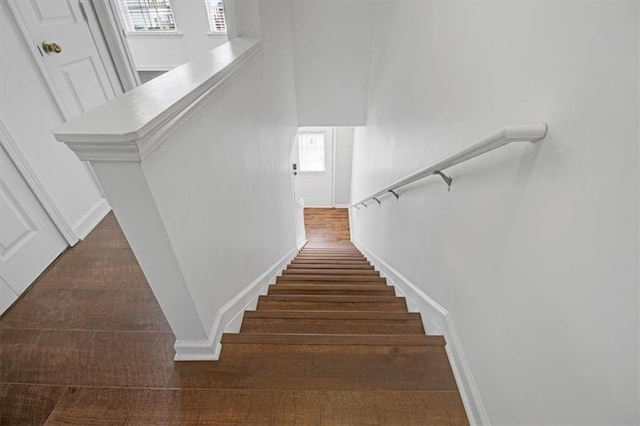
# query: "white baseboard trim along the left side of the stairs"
x,y
229,317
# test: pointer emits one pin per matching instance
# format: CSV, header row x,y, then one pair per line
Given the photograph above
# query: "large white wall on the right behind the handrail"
x,y
534,252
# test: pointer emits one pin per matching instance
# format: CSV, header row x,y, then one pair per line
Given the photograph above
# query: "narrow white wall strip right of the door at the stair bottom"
x,y
342,163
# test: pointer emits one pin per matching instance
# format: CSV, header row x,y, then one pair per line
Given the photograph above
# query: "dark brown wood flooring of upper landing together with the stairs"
x,y
88,345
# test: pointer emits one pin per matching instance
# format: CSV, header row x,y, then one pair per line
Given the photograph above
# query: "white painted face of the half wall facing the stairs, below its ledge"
x,y
222,180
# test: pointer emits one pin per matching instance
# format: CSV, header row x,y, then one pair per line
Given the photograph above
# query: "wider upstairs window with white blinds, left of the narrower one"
x,y
147,15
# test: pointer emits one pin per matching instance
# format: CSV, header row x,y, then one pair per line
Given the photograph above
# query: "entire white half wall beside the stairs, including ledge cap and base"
x,y
195,164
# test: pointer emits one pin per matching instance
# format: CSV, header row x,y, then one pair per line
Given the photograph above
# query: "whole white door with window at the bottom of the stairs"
x,y
313,166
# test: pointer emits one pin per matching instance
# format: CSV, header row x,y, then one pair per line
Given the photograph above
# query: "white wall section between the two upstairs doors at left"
x,y
29,113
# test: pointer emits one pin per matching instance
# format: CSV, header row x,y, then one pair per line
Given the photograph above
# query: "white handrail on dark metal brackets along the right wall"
x,y
501,137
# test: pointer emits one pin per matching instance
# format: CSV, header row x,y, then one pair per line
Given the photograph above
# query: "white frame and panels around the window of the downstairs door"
x,y
315,187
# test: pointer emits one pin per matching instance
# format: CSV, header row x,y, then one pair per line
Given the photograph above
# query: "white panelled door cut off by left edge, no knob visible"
x,y
29,241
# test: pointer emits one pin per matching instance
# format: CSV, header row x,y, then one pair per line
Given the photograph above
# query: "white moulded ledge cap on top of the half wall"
x,y
132,126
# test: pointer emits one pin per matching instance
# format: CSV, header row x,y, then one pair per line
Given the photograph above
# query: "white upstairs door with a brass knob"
x,y
64,48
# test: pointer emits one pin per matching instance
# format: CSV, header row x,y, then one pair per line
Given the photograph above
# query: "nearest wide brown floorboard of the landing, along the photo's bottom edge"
x,y
90,406
